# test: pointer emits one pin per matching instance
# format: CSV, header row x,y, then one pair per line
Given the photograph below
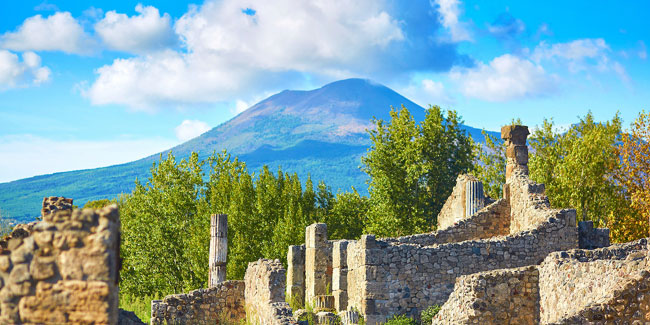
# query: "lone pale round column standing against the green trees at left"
x,y
218,249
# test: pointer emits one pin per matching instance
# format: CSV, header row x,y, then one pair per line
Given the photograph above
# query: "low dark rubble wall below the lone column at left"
x,y
221,304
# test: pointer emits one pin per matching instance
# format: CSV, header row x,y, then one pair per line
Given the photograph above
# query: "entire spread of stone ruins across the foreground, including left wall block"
x,y
510,260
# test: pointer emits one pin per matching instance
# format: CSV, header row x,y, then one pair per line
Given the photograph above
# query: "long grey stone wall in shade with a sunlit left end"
x,y
386,278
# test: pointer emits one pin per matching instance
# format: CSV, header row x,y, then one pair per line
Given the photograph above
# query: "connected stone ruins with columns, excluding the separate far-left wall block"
x,y
511,260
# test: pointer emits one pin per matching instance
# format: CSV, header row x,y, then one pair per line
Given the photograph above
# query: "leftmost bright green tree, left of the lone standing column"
x,y
158,220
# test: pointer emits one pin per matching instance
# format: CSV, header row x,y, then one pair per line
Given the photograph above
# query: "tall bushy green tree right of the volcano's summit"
x,y
412,169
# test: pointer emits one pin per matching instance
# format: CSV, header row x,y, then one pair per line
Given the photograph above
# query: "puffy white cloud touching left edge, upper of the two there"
x,y
58,32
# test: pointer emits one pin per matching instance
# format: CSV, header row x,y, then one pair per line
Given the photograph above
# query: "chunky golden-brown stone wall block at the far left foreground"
x,y
65,271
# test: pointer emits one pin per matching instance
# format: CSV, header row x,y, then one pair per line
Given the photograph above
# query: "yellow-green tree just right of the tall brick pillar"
x,y
577,166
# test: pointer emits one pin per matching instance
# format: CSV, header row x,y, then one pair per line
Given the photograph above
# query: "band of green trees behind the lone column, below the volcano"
x,y
166,222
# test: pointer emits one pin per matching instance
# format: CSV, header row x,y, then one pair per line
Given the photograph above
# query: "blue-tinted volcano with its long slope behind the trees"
x,y
321,132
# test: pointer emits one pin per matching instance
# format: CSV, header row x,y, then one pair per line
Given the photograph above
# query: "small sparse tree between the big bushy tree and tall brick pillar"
x,y
490,167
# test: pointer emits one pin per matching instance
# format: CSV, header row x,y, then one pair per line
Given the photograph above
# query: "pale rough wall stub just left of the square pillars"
x,y
264,293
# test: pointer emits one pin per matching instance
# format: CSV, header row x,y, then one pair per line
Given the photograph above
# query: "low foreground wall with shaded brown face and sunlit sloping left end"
x,y
509,296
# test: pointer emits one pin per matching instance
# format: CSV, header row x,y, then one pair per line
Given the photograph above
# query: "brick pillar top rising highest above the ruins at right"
x,y
516,151
